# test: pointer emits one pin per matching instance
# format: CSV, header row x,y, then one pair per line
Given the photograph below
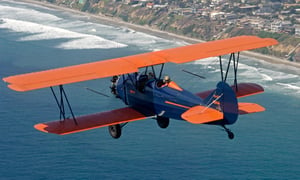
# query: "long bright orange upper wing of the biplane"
x,y
129,64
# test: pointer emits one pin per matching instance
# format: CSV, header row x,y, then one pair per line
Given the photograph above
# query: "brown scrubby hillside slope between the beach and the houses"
x,y
166,19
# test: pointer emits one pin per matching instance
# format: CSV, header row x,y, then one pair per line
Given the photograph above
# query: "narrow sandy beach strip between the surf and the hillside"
x,y
166,35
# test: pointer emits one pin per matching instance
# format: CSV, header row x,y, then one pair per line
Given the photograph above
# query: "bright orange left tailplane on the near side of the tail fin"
x,y
202,114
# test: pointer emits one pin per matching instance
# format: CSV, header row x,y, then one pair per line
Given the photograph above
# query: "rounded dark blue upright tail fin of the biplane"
x,y
224,99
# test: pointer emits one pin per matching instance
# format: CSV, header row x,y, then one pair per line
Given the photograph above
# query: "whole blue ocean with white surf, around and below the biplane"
x,y
34,38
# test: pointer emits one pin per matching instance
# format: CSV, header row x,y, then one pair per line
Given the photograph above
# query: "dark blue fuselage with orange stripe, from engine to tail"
x,y
148,97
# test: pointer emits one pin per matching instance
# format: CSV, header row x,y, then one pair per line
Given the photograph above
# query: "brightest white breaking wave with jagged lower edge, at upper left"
x,y
43,32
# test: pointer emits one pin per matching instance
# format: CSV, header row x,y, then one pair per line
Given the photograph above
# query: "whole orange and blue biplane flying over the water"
x,y
148,95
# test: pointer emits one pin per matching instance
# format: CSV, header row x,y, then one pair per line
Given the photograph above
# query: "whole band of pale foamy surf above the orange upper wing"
x,y
49,26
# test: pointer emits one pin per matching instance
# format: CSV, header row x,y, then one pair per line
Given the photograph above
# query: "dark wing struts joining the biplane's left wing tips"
x,y
61,103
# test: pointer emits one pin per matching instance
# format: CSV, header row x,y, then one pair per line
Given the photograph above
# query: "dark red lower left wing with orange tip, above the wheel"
x,y
91,121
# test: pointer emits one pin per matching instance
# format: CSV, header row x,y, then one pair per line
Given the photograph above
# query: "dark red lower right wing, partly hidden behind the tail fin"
x,y
242,90
